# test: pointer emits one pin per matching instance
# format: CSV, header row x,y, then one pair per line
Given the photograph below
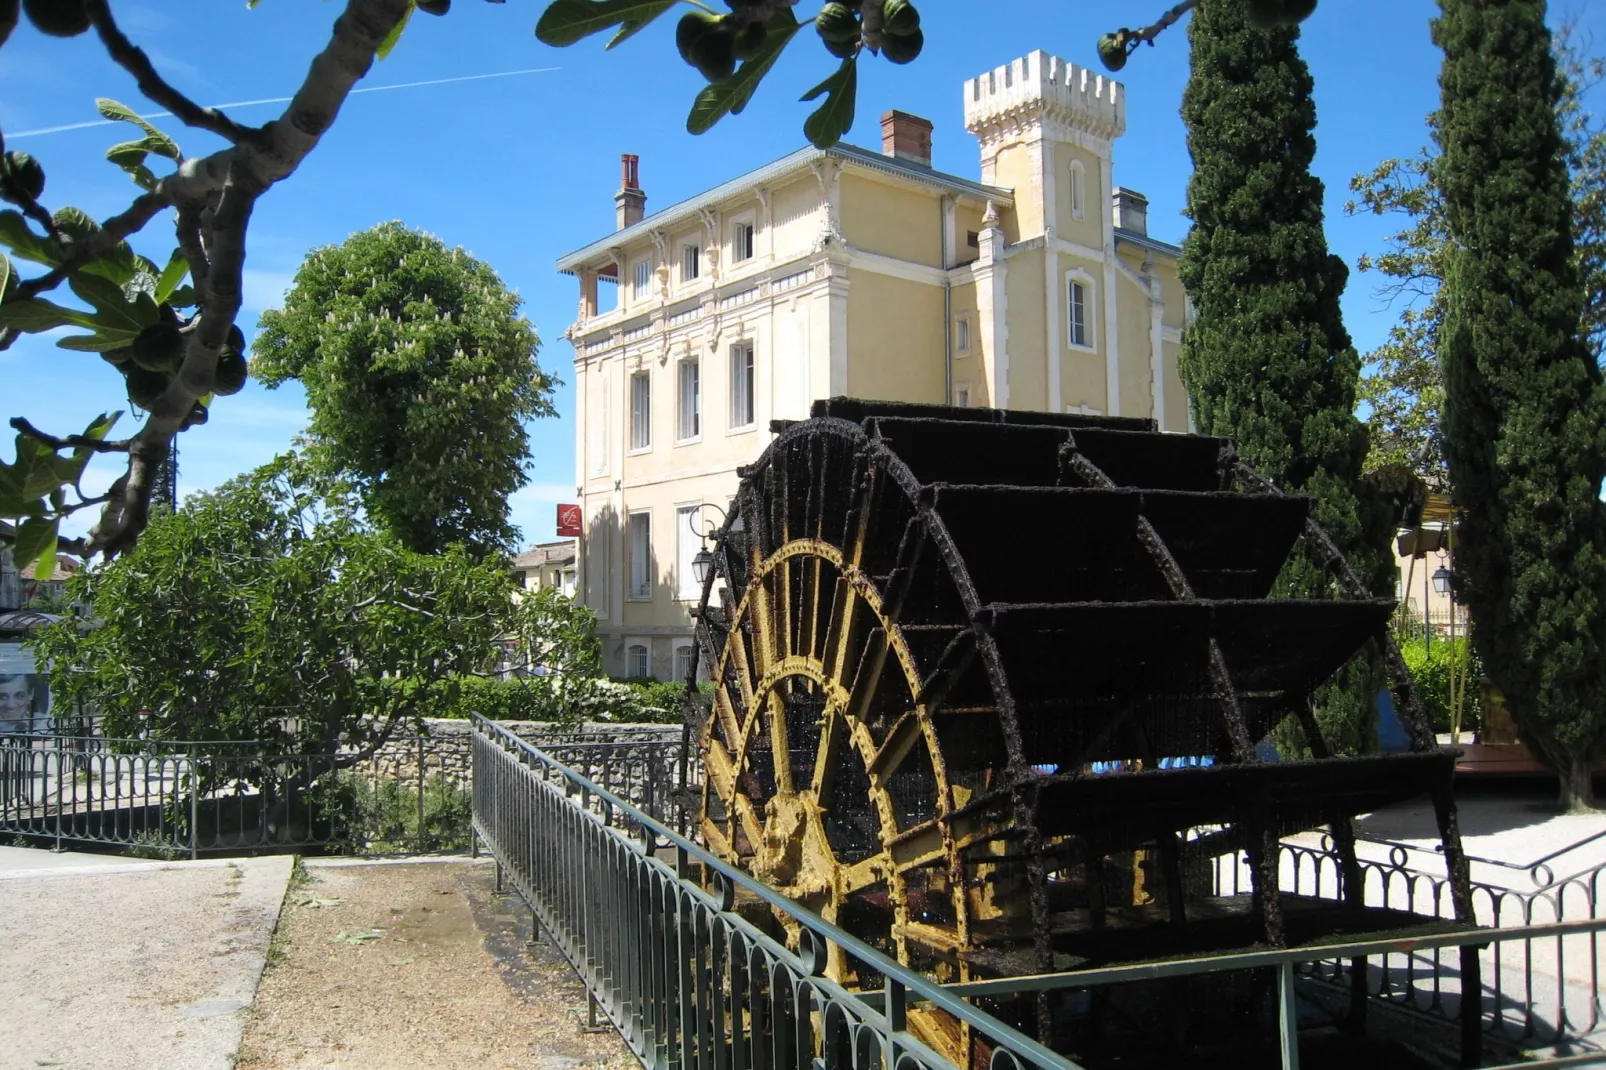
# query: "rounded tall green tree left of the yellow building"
x,y
420,375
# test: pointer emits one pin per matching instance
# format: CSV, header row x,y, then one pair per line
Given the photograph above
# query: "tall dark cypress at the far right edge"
x,y
1523,420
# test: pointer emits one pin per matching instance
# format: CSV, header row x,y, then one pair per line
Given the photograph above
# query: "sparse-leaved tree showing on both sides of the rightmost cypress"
x,y
1404,390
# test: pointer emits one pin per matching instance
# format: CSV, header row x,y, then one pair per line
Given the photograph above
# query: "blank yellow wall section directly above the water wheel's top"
x,y
895,338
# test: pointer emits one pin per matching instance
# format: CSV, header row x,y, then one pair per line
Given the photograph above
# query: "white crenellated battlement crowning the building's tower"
x,y
1043,88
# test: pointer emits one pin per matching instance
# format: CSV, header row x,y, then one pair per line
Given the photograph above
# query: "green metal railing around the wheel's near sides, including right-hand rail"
x,y
690,982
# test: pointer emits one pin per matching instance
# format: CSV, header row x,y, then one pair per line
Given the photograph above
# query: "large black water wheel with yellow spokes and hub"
x,y
988,690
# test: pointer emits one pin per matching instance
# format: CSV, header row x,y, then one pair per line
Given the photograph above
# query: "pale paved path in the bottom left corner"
x,y
132,968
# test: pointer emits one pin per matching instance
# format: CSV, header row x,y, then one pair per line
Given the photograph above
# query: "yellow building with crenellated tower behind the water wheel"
x,y
849,272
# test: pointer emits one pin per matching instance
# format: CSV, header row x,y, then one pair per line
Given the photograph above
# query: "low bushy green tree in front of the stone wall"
x,y
267,611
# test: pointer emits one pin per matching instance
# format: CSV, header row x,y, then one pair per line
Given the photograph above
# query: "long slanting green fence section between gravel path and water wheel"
x,y
687,979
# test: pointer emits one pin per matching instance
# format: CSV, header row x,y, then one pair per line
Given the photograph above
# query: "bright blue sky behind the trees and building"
x,y
523,169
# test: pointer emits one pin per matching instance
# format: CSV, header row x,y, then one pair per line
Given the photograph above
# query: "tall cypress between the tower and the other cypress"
x,y
1268,361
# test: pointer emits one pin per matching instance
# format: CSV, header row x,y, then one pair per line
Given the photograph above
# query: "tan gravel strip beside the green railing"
x,y
415,966
